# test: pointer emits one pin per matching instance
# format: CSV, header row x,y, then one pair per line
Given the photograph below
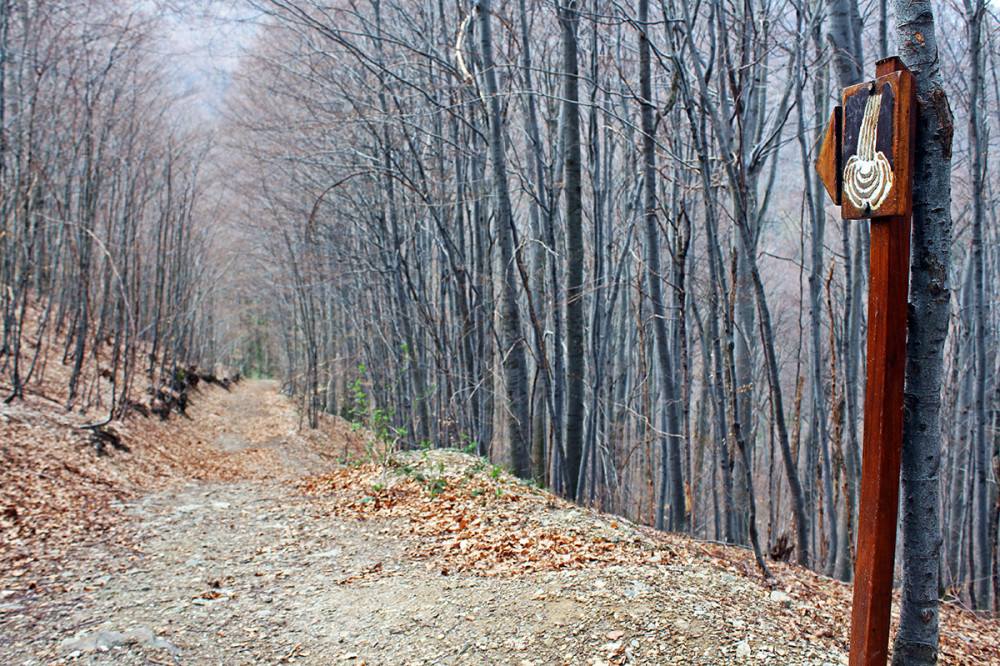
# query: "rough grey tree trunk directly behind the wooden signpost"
x,y
917,640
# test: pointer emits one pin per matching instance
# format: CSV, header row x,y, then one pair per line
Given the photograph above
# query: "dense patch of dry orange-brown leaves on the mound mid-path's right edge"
x,y
469,521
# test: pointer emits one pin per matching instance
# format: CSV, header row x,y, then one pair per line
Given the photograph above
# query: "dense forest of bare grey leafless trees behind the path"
x,y
584,238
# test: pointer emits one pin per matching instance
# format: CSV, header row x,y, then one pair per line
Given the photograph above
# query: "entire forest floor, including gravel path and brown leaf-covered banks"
x,y
236,537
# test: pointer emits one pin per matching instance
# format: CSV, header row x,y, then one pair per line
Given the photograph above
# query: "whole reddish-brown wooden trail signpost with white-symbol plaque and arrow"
x,y
866,165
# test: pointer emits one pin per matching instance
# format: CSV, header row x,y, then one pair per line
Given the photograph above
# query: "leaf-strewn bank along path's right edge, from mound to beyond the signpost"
x,y
466,515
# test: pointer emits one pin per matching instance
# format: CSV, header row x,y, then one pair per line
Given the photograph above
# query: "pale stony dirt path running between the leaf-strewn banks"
x,y
253,571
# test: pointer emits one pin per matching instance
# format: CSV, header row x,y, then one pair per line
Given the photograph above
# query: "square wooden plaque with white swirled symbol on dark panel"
x,y
876,157
